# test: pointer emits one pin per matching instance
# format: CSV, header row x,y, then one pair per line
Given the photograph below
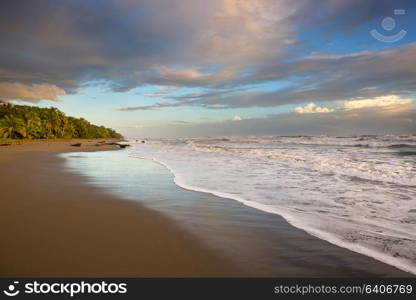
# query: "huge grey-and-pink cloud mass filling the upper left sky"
x,y
134,43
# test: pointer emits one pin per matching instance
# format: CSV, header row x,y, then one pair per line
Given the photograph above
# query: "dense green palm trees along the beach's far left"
x,y
30,122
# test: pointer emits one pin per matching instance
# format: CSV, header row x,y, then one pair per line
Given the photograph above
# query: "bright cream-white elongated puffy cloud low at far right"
x,y
388,101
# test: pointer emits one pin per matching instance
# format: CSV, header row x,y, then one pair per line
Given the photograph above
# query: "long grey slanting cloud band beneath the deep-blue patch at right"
x,y
324,77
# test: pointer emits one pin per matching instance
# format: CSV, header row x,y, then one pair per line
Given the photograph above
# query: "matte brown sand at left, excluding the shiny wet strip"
x,y
52,224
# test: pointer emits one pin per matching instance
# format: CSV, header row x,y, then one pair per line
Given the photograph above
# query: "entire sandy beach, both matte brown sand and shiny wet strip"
x,y
56,222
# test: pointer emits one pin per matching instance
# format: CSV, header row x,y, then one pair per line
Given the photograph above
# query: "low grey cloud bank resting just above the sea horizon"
x,y
339,123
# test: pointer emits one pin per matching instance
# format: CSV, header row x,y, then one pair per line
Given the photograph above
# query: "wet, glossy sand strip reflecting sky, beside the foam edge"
x,y
260,243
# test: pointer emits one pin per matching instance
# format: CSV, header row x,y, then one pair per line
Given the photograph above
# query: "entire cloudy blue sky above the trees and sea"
x,y
156,68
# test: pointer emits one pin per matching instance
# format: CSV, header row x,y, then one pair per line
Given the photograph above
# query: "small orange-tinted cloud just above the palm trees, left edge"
x,y
29,93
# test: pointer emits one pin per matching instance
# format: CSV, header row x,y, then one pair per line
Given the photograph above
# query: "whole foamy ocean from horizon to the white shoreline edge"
x,y
356,192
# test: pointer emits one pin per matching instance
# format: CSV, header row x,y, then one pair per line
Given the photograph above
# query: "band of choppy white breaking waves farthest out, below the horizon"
x,y
365,165
